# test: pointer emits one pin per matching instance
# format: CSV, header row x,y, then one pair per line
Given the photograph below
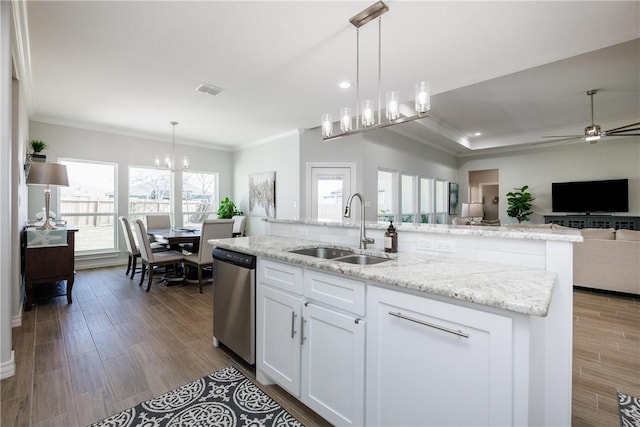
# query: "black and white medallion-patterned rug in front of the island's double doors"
x,y
224,398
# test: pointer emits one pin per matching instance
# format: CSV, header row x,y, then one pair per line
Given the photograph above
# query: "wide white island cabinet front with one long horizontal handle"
x,y
431,363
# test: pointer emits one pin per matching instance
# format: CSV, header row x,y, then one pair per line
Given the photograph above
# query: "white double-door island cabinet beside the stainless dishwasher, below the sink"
x,y
311,348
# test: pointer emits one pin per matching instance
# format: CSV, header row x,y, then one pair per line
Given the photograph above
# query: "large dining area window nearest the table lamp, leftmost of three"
x,y
88,203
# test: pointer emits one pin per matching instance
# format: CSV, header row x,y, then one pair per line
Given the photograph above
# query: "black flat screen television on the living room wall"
x,y
590,196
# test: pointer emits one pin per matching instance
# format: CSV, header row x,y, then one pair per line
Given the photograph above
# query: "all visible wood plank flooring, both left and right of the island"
x,y
117,345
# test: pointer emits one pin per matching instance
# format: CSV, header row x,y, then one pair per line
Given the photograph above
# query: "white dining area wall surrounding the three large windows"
x,y
74,143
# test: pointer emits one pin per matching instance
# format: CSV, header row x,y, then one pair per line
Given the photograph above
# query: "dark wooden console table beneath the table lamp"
x,y
48,265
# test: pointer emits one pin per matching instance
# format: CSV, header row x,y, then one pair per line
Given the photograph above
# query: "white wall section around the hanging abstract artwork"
x,y
280,154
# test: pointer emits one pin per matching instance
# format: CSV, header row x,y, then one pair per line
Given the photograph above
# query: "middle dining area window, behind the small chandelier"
x,y
149,192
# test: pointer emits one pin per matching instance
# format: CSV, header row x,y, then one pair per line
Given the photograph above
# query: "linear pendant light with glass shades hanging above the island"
x,y
365,118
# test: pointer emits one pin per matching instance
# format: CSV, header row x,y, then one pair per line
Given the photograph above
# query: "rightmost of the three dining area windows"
x,y
199,196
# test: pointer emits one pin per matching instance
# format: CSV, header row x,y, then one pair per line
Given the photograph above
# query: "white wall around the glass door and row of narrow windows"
x,y
370,151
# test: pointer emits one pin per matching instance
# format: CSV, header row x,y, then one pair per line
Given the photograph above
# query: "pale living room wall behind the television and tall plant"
x,y
610,159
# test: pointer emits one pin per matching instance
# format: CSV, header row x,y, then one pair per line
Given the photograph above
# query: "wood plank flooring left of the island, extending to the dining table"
x,y
114,347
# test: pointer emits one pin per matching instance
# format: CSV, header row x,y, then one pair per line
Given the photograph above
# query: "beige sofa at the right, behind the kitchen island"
x,y
608,259
